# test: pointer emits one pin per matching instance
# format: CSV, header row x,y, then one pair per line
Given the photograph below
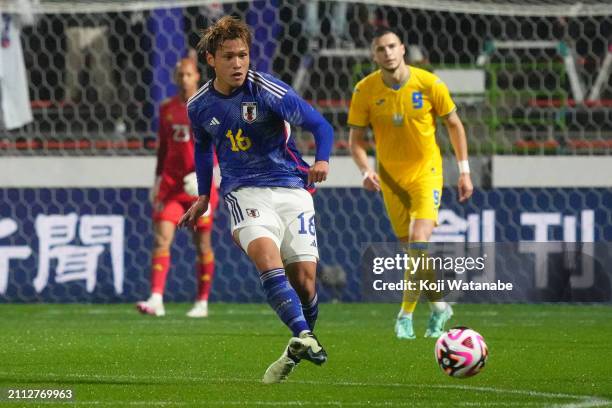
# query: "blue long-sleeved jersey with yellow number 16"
x,y
251,133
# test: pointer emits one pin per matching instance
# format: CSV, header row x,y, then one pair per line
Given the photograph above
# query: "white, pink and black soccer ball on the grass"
x,y
461,352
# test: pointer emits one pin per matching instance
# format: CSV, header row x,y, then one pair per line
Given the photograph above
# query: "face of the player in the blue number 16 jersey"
x,y
231,63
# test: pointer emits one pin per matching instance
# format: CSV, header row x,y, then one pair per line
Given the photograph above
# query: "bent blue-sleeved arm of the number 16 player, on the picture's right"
x,y
298,112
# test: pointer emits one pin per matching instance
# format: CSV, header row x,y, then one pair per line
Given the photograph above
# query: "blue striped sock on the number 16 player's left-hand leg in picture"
x,y
283,299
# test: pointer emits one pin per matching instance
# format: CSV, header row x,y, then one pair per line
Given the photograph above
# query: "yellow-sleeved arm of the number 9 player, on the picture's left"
x,y
358,121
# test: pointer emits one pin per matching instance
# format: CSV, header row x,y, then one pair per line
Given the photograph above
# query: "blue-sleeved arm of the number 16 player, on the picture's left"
x,y
204,163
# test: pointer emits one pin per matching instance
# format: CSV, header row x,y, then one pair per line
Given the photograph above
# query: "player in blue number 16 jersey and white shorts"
x,y
246,116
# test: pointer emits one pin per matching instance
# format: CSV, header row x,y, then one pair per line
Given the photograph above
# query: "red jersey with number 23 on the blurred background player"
x,y
175,151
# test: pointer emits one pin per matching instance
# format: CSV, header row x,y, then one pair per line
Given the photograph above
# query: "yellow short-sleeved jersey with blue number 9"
x,y
403,121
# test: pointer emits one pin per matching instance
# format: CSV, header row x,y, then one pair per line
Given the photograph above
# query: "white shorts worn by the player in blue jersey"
x,y
287,212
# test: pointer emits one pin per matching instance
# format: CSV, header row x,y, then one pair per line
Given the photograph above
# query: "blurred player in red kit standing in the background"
x,y
174,191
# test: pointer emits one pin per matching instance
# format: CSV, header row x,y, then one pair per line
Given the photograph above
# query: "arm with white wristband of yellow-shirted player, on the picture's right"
x,y
445,108
